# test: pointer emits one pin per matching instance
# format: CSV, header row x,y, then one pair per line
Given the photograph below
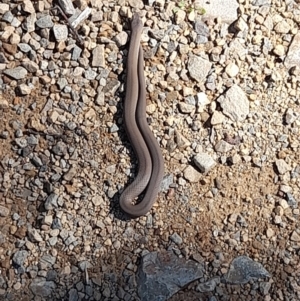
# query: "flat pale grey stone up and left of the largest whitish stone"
x,y
198,68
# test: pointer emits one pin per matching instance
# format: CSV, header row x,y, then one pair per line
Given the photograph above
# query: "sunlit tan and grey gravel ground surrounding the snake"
x,y
223,101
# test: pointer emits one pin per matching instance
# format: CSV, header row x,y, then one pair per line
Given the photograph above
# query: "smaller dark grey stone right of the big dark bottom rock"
x,y
243,269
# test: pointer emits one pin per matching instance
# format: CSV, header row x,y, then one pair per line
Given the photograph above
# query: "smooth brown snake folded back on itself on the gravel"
x,y
150,161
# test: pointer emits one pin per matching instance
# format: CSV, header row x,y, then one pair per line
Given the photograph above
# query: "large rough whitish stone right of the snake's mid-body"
x,y
235,103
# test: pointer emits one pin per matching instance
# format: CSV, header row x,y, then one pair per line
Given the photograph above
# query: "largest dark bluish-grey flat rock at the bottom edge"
x,y
160,275
